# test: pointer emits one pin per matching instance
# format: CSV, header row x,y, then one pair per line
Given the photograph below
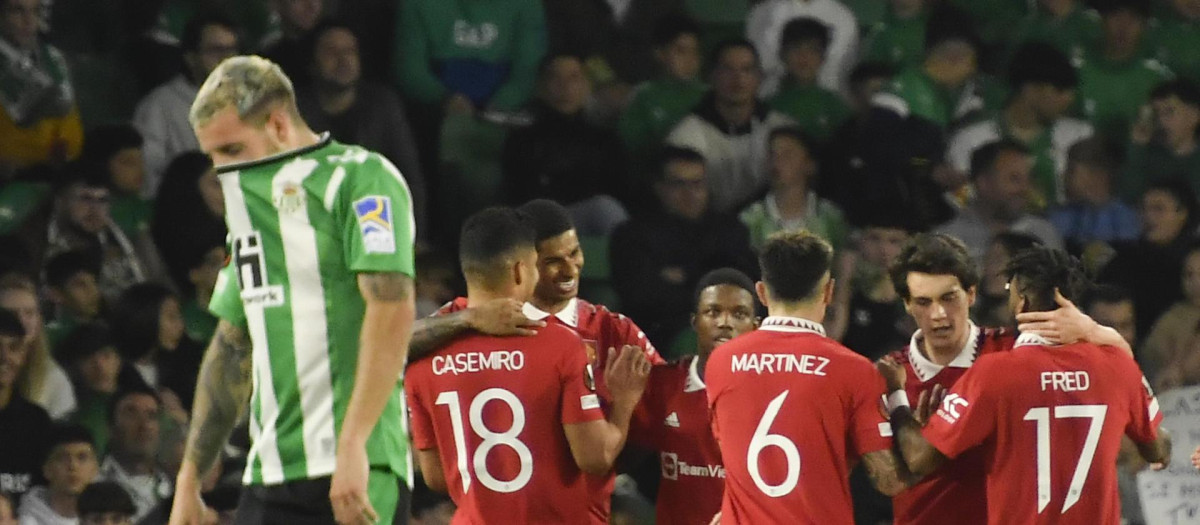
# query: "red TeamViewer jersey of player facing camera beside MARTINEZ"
x,y
673,420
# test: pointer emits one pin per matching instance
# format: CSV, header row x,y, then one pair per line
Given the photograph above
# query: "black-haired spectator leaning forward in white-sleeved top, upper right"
x,y
1043,88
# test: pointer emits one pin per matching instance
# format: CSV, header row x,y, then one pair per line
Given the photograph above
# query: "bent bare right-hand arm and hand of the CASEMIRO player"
x,y
597,444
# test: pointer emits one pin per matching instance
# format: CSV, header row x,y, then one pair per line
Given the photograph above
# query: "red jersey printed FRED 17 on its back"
x,y
1049,423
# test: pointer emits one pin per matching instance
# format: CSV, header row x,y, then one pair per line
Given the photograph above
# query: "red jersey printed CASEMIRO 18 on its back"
x,y
495,409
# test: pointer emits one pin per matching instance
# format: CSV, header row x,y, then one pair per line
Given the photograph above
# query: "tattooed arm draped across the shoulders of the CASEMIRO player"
x,y
499,317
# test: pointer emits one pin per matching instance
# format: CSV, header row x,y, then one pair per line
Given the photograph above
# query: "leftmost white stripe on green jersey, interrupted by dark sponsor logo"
x,y
266,449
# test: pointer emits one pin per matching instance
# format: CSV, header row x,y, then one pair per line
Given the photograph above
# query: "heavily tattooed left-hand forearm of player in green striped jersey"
x,y
223,397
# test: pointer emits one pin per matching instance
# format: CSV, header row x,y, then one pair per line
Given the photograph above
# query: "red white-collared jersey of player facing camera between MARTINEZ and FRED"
x,y
958,488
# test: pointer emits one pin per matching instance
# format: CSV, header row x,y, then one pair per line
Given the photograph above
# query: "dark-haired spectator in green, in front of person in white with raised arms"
x,y
818,111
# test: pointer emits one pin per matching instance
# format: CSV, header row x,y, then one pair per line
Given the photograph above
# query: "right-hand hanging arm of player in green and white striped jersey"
x,y
383,349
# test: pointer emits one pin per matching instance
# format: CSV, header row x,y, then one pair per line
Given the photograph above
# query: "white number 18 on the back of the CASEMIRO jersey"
x,y
491,439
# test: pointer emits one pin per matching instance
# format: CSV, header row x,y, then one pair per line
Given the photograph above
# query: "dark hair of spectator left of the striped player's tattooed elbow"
x,y
135,319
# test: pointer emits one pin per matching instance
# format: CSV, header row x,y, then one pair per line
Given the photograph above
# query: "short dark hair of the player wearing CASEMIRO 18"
x,y
489,237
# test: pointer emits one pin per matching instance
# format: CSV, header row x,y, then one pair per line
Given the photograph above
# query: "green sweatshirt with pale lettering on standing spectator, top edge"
x,y
470,55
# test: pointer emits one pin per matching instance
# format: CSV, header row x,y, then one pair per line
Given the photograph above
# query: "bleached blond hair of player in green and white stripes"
x,y
253,86
